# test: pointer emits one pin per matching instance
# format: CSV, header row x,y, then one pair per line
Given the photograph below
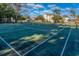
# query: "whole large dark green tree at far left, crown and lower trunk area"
x,y
6,11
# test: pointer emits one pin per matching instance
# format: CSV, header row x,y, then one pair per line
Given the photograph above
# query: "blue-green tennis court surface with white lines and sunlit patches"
x,y
38,40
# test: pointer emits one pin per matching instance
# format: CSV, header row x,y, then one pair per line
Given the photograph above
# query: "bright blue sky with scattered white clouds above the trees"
x,y
35,9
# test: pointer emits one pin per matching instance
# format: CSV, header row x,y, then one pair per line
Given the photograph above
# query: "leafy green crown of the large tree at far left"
x,y
6,11
